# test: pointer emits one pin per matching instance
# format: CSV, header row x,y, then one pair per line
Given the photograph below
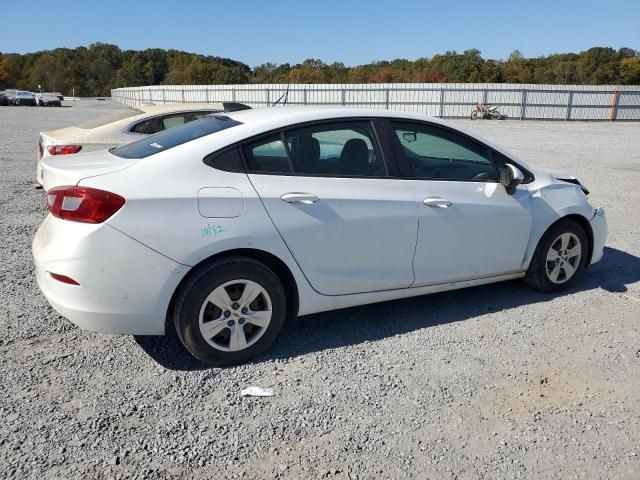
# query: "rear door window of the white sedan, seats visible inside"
x,y
340,149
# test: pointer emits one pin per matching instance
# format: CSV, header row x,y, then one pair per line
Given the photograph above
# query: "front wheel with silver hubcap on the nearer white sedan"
x,y
559,257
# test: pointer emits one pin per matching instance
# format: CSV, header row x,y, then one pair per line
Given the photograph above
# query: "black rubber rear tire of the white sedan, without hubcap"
x,y
192,296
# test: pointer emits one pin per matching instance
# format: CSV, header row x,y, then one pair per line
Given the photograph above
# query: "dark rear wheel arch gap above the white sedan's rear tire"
x,y
276,264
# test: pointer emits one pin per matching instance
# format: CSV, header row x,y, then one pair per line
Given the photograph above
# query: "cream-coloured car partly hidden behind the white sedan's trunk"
x,y
122,127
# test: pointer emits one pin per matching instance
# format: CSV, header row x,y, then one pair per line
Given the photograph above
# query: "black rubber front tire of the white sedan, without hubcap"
x,y
537,276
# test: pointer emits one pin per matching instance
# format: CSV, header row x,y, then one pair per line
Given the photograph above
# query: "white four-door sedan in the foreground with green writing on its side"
x,y
225,227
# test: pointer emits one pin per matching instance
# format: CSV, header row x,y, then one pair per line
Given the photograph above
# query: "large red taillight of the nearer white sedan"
x,y
83,204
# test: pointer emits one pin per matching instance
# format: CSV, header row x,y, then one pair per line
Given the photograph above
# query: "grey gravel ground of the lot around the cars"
x,y
489,382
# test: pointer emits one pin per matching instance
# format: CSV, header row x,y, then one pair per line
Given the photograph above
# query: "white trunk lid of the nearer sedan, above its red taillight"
x,y
65,170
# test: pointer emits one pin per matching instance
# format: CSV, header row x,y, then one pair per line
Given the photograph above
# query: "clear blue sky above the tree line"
x,y
352,32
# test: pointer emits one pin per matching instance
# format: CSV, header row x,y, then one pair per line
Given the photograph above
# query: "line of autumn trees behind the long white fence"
x,y
95,70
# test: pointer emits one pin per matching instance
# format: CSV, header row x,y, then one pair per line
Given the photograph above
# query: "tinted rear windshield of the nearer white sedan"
x,y
161,141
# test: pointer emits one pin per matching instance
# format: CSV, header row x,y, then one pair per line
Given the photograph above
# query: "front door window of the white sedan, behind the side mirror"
x,y
438,153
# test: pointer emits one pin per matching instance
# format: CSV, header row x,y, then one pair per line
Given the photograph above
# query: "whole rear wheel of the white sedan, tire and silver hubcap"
x,y
230,310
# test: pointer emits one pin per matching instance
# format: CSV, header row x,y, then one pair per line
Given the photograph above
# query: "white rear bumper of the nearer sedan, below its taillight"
x,y
125,287
